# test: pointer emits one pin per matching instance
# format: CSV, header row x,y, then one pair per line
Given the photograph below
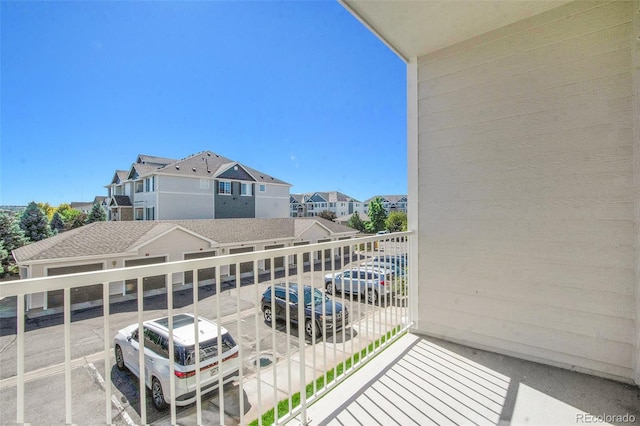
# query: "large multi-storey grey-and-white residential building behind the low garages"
x,y
202,186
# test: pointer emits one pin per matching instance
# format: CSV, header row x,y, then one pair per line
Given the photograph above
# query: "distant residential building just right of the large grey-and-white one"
x,y
312,204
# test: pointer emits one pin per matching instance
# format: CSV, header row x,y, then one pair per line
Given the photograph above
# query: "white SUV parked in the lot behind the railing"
x,y
156,356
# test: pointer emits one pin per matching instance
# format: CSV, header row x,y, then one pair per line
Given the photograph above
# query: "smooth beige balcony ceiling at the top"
x,y
415,28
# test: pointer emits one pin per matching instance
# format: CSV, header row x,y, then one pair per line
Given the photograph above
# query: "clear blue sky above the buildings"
x,y
299,90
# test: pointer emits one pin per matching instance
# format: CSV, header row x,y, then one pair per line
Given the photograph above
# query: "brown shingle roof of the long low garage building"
x,y
120,237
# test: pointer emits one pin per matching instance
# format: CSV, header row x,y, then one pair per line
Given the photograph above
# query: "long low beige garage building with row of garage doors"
x,y
116,244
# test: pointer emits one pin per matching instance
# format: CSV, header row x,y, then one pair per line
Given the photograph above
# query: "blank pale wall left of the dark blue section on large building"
x,y
184,198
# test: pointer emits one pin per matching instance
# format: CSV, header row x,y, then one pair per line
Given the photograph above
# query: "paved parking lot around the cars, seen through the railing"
x,y
237,310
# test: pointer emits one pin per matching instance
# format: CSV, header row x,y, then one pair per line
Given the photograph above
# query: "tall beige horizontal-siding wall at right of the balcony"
x,y
526,190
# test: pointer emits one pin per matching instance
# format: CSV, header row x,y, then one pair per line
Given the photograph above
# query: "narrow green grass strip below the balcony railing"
x,y
328,377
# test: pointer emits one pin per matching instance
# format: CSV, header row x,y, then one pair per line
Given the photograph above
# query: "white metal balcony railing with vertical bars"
x,y
331,356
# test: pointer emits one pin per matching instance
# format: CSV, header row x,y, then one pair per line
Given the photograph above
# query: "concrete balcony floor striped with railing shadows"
x,y
424,381
